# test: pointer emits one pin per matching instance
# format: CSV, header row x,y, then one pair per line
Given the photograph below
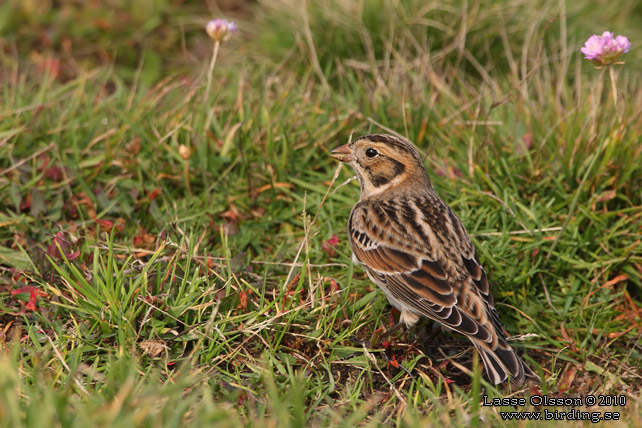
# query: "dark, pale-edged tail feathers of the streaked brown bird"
x,y
502,362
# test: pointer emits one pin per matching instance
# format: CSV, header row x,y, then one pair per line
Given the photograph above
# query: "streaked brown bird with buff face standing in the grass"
x,y
414,247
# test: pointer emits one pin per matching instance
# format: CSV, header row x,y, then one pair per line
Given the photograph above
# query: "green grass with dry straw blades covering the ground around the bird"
x,y
200,291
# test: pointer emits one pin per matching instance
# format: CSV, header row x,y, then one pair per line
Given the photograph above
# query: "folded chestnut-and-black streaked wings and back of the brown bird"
x,y
422,255
